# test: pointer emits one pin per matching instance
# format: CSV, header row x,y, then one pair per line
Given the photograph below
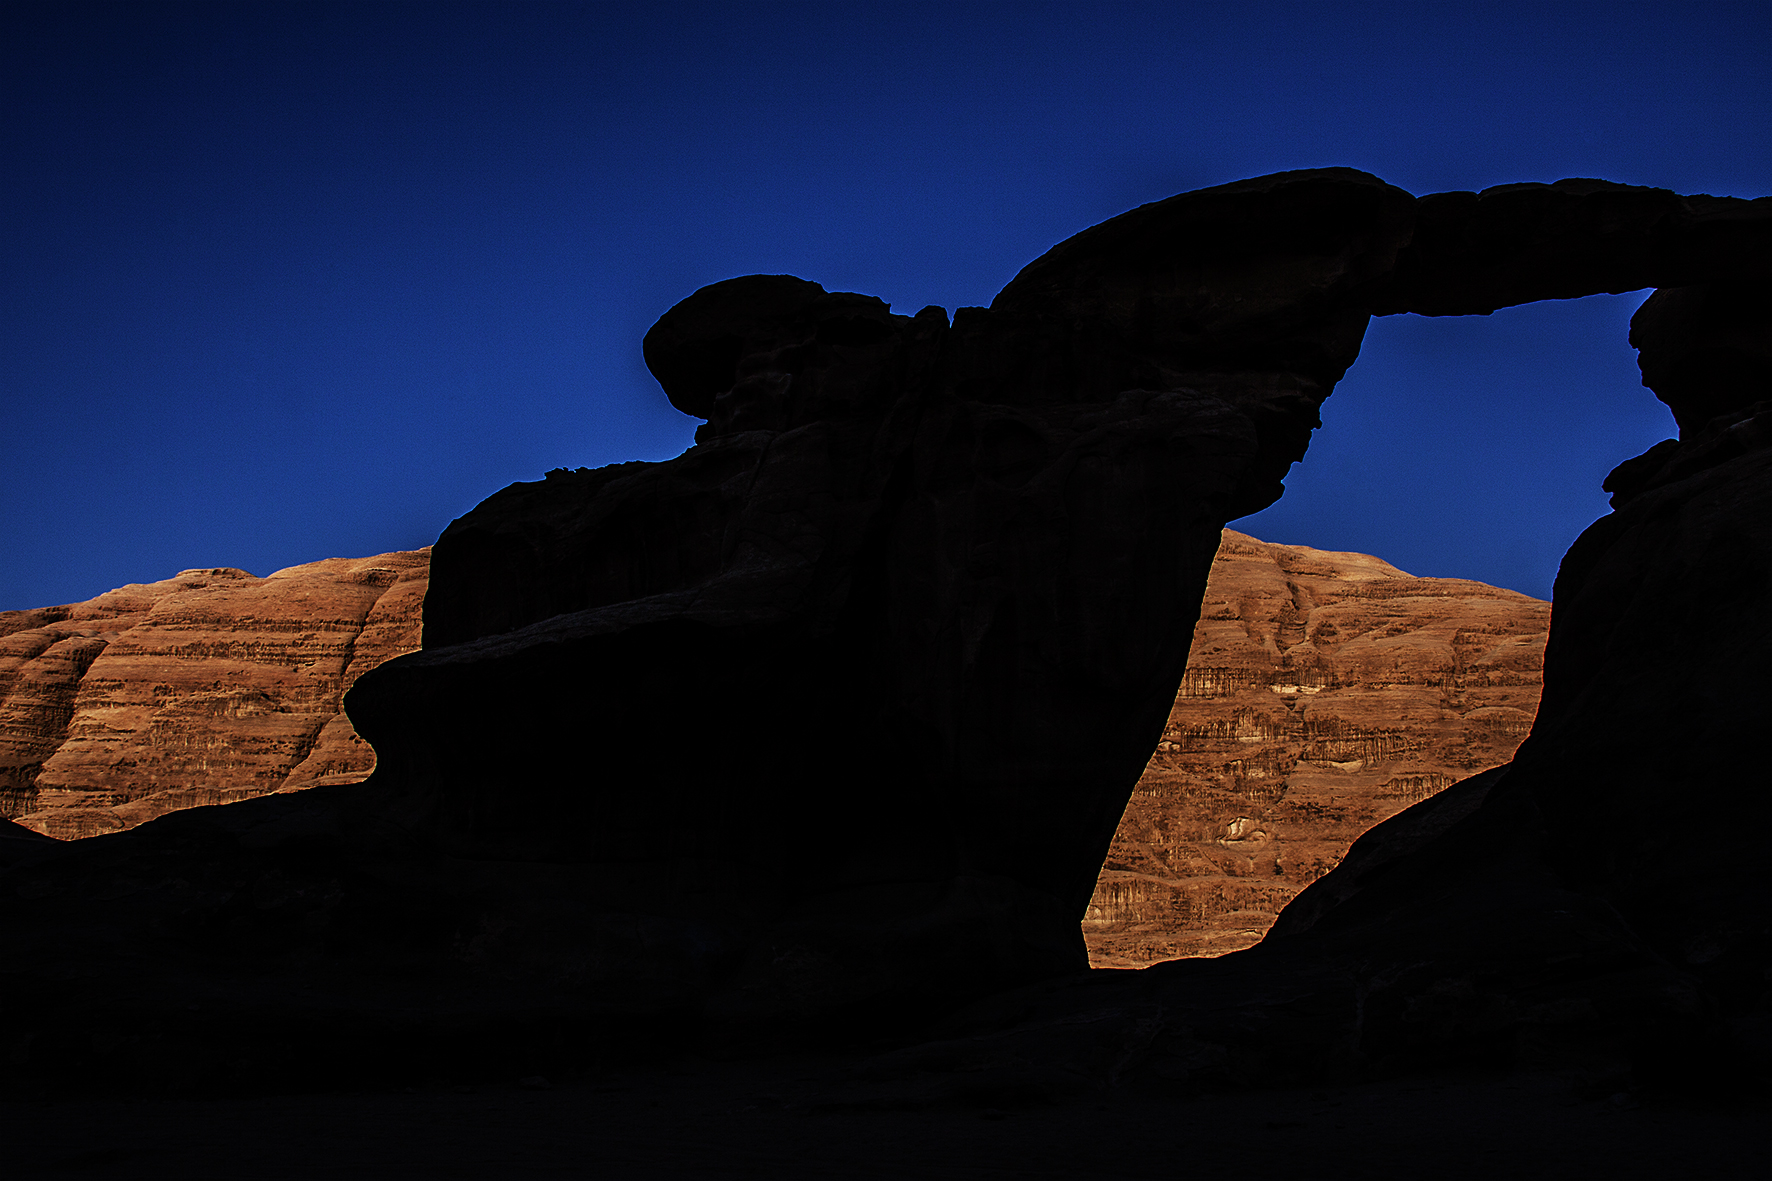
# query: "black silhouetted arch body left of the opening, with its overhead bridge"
x,y
931,572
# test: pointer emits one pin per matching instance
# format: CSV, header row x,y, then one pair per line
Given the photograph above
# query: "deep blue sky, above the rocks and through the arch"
x,y
295,281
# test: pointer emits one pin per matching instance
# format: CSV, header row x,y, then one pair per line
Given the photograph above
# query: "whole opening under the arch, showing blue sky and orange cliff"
x,y
1463,455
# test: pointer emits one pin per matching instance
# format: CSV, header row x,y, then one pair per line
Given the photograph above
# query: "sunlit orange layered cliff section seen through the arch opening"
x,y
1325,692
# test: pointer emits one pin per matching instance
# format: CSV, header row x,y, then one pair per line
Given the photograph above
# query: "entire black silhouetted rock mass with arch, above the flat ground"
x,y
960,549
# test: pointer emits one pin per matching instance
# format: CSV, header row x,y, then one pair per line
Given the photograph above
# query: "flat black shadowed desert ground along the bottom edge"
x,y
699,1120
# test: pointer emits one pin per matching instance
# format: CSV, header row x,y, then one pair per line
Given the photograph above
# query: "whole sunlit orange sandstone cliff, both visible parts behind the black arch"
x,y
1325,692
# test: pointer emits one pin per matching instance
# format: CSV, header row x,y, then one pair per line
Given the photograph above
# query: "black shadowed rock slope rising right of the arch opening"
x,y
1569,911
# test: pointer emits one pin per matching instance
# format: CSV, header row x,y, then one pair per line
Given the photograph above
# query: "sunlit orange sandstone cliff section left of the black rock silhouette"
x,y
205,689
